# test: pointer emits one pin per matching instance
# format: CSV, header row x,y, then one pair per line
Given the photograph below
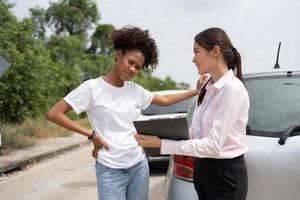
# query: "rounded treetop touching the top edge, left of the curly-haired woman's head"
x,y
72,16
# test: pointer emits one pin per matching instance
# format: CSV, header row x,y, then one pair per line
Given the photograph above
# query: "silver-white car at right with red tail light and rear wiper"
x,y
273,138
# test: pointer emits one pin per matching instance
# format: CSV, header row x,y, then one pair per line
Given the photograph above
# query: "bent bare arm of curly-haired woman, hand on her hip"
x,y
57,115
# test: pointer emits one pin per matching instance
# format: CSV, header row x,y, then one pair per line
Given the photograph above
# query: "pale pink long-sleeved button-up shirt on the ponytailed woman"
x,y
219,123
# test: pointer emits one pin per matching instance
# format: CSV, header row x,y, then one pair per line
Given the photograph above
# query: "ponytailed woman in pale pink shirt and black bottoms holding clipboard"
x,y
219,125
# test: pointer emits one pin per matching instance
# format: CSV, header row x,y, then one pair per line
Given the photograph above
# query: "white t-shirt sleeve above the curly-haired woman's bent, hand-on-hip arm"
x,y
79,98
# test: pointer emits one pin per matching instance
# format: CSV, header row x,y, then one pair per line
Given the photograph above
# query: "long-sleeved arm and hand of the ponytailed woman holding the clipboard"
x,y
209,146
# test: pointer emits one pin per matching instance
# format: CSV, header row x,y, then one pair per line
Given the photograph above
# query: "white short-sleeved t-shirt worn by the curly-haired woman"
x,y
111,111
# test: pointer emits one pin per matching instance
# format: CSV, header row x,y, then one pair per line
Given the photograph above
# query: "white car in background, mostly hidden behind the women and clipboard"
x,y
160,112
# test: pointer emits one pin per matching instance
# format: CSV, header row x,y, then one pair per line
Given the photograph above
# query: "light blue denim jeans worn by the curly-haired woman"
x,y
123,184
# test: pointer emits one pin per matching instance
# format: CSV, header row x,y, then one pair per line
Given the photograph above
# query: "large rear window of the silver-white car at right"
x,y
274,104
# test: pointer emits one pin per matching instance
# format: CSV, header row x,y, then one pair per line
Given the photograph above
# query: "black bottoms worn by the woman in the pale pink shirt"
x,y
221,179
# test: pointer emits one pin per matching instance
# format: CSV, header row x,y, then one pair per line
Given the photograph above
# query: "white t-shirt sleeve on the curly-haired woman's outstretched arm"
x,y
143,97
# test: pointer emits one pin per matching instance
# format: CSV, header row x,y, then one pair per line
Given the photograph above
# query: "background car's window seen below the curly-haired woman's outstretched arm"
x,y
181,107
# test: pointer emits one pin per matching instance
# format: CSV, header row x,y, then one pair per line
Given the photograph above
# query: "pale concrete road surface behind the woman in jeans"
x,y
70,176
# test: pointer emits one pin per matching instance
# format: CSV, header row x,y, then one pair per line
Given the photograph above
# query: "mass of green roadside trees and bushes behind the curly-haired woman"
x,y
45,68
